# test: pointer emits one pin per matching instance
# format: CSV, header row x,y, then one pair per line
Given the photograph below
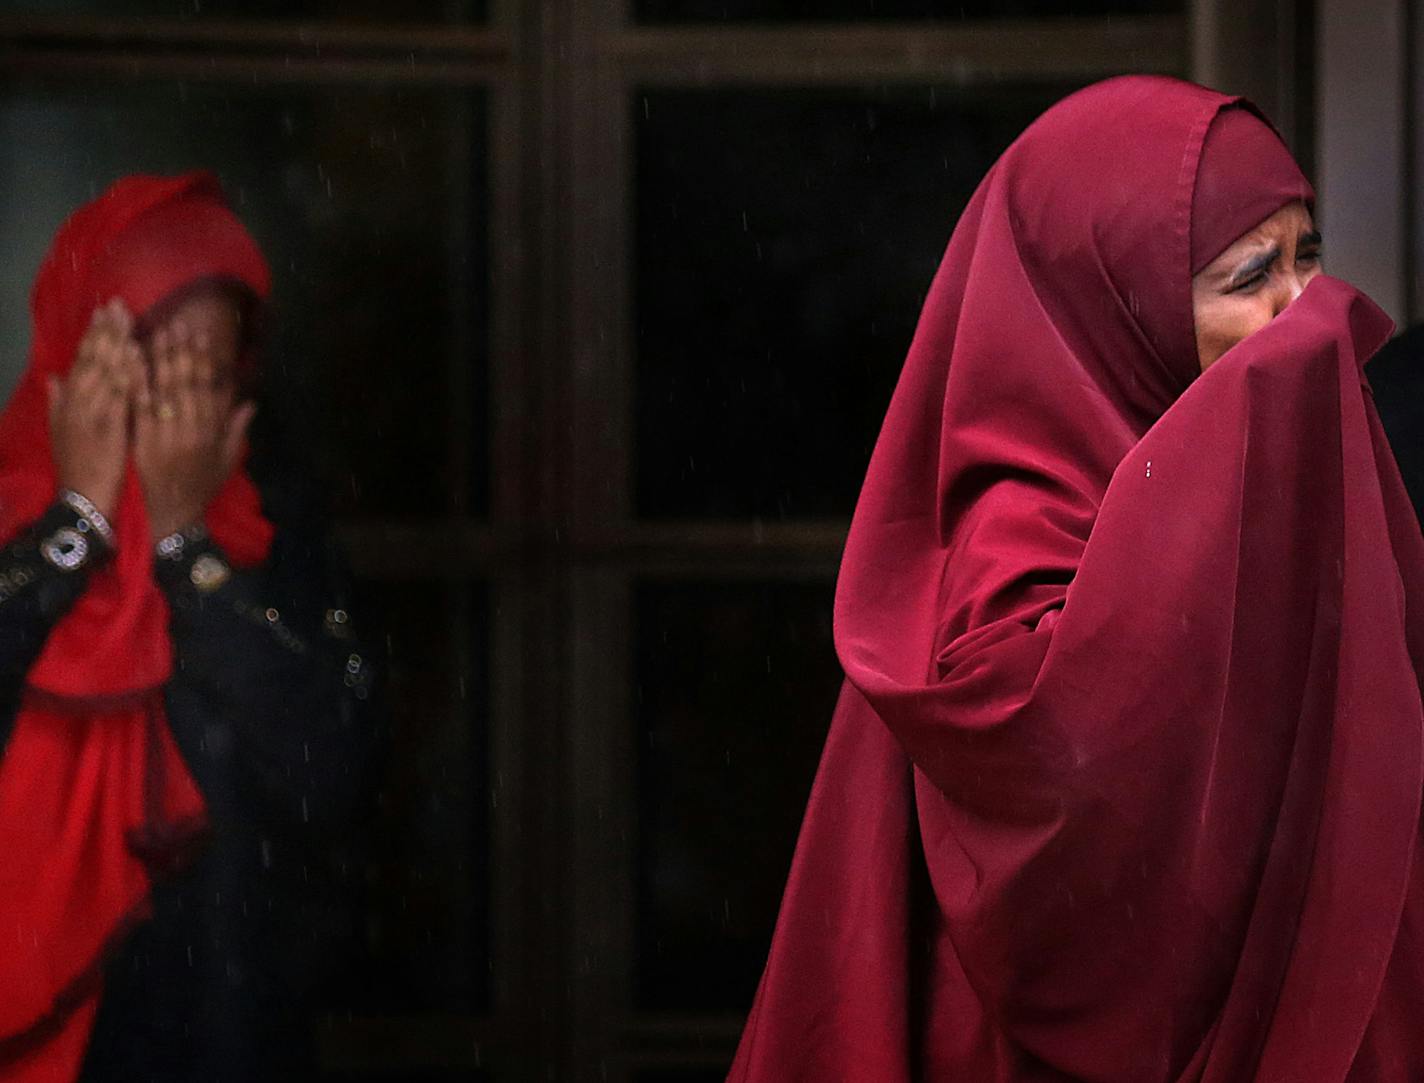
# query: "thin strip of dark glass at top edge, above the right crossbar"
x,y
872,11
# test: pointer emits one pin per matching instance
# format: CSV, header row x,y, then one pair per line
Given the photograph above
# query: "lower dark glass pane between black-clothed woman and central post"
x,y
425,936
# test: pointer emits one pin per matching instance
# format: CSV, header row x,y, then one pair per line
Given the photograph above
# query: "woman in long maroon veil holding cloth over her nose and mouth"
x,y
1126,779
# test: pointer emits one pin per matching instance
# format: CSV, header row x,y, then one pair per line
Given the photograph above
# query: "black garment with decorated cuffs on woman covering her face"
x,y
271,705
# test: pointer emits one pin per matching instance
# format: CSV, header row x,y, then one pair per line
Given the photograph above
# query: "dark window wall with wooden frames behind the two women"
x,y
589,314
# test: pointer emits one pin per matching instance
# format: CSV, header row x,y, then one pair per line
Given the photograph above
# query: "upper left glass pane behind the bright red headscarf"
x,y
370,203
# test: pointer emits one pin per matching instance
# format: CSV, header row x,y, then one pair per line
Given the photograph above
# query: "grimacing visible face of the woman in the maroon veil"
x,y
1254,281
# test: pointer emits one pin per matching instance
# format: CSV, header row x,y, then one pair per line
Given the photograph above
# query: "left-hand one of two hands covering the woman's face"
x,y
89,411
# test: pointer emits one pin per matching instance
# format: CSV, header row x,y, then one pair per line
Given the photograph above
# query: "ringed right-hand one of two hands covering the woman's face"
x,y
187,432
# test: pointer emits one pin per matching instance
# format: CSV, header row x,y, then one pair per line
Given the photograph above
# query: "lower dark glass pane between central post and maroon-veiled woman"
x,y
735,690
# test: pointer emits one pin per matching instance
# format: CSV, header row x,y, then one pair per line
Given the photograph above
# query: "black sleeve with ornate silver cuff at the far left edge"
x,y
42,574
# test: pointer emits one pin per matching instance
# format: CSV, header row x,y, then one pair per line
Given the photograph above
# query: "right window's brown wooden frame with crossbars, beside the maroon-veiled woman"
x,y
607,63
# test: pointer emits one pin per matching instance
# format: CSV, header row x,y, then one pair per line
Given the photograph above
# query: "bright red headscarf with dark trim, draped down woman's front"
x,y
95,795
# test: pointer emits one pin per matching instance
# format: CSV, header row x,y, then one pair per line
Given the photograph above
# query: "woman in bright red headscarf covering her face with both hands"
x,y
180,702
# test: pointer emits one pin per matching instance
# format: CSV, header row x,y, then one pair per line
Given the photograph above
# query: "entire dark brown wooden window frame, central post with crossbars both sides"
x,y
562,549
